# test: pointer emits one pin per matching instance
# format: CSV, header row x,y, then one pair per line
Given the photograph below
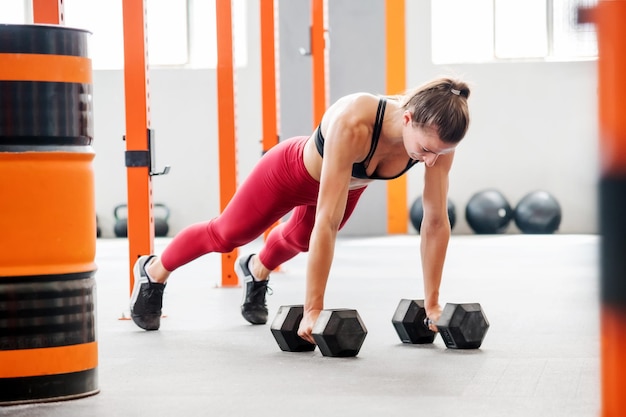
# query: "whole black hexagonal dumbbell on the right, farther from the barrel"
x,y
462,326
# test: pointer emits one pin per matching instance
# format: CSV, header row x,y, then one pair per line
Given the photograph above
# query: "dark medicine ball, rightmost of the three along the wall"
x,y
538,212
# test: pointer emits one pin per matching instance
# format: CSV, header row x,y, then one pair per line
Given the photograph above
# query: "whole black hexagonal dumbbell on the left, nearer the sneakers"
x,y
337,332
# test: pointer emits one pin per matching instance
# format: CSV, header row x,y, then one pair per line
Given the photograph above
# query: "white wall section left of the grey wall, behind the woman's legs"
x,y
183,107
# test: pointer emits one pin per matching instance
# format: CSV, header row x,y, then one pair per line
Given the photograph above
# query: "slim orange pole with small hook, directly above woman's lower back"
x,y
318,55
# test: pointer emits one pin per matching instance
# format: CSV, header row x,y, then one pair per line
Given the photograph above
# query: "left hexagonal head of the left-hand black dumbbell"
x,y
285,329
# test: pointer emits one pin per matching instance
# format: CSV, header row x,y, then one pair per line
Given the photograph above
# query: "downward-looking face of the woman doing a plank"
x,y
423,143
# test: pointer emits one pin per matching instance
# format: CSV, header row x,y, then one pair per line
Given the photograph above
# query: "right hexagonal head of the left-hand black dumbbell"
x,y
339,333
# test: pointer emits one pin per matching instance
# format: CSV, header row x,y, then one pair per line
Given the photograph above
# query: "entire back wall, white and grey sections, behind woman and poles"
x,y
534,124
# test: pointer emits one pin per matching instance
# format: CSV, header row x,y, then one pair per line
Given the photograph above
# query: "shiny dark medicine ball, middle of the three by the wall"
x,y
488,212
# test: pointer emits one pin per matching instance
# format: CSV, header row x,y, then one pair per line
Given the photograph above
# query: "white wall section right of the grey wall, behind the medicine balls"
x,y
533,127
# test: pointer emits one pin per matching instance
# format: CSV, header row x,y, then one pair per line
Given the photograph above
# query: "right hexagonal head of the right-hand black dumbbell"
x,y
463,326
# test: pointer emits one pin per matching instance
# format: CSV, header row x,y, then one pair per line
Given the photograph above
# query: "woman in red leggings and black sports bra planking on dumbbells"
x,y
361,138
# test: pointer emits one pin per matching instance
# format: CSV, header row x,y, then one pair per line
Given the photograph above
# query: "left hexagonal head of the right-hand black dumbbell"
x,y
408,321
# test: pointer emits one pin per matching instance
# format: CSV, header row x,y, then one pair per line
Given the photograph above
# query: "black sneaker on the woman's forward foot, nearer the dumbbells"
x,y
253,308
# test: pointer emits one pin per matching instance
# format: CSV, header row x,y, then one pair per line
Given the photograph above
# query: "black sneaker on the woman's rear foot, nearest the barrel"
x,y
147,297
